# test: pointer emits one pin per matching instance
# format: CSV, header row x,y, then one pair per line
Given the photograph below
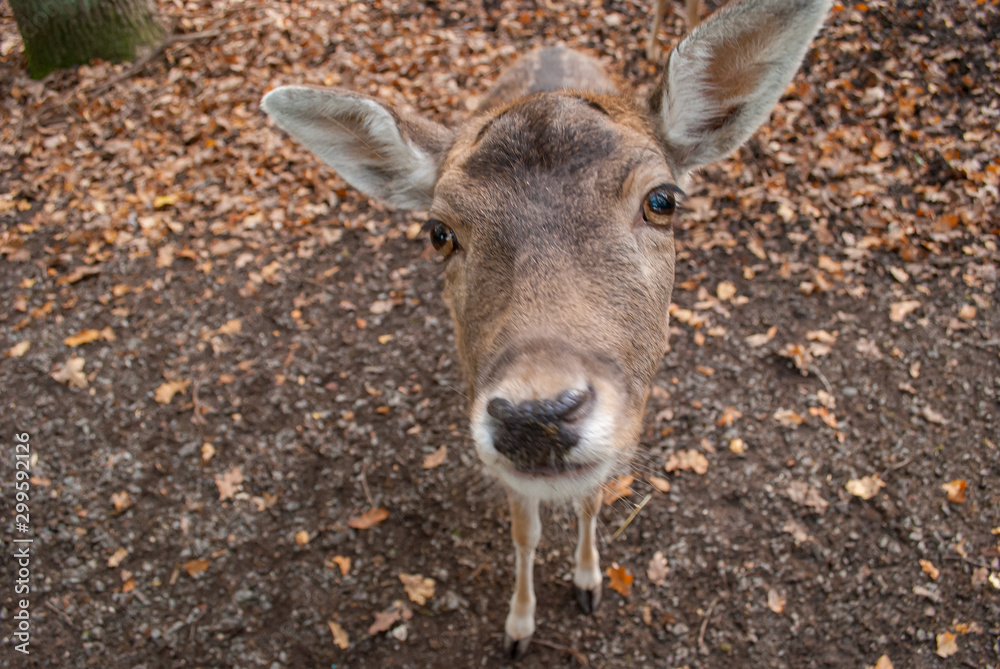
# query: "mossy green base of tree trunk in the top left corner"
x,y
64,33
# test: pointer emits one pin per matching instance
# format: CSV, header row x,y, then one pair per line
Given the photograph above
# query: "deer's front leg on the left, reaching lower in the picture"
x,y
526,529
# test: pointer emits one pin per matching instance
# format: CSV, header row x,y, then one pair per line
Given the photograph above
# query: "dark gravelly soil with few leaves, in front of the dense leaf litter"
x,y
320,415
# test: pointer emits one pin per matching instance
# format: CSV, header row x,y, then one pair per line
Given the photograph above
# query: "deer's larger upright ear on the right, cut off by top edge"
x,y
721,83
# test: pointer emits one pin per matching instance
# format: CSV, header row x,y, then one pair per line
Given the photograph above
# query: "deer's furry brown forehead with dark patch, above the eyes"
x,y
550,152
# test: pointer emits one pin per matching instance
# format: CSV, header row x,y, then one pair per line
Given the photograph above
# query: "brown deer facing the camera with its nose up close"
x,y
553,206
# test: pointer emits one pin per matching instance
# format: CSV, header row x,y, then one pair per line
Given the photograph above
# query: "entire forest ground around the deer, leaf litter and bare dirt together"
x,y
224,358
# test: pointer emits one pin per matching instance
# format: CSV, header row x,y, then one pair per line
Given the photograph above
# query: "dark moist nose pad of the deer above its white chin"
x,y
539,433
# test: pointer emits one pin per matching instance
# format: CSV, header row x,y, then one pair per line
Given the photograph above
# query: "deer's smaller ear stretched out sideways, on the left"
x,y
387,154
